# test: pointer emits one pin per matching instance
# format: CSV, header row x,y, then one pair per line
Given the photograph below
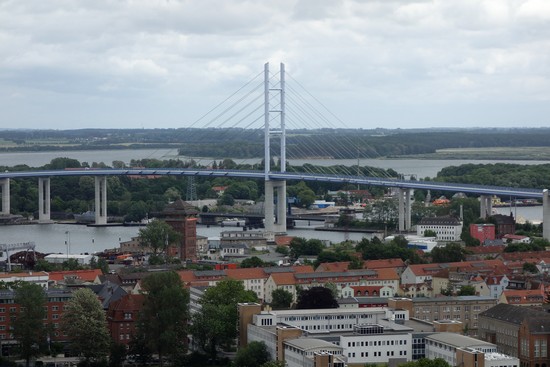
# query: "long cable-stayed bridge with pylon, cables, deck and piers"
x,y
266,104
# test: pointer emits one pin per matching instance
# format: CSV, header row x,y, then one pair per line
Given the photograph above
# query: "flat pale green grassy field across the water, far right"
x,y
501,153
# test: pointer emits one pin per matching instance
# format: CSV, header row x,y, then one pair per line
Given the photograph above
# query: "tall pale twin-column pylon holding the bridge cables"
x,y
275,190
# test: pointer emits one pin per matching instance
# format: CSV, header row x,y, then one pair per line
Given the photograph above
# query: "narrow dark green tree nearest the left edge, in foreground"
x,y
28,327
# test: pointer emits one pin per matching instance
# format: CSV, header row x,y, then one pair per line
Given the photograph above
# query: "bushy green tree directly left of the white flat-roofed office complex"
x,y
215,324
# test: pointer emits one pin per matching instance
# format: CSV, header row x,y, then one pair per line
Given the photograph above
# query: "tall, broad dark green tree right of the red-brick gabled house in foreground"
x,y
163,318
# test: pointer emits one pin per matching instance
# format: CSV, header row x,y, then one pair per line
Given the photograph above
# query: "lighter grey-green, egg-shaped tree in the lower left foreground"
x,y
85,321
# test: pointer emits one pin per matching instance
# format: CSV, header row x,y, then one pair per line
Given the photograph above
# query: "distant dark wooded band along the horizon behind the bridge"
x,y
248,143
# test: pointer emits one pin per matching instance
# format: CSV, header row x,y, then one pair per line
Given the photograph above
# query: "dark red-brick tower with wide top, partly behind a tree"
x,y
182,217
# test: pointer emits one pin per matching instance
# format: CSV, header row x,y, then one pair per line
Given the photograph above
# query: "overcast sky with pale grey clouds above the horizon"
x,y
389,63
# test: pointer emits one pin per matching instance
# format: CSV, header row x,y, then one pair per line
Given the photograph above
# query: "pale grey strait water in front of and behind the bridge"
x,y
58,237
